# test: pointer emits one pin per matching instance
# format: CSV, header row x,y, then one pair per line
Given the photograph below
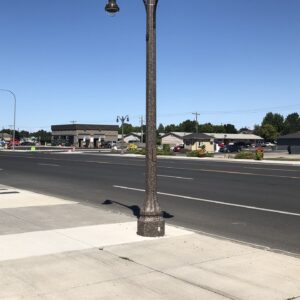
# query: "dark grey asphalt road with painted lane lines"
x,y
253,203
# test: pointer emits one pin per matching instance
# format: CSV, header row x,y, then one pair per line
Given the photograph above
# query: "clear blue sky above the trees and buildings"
x,y
231,61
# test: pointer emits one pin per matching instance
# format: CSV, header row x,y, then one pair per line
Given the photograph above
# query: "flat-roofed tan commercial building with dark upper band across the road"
x,y
84,135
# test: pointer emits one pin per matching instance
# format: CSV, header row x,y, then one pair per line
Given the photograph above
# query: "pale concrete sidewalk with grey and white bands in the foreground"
x,y
51,248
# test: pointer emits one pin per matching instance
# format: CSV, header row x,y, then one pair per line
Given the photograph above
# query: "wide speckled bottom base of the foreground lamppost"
x,y
151,225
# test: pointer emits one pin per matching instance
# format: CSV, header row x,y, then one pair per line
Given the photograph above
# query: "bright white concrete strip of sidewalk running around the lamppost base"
x,y
29,244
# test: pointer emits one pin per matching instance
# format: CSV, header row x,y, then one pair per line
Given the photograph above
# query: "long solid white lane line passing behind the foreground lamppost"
x,y
214,201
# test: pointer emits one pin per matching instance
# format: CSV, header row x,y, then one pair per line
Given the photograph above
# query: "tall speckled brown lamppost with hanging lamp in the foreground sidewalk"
x,y
151,222
